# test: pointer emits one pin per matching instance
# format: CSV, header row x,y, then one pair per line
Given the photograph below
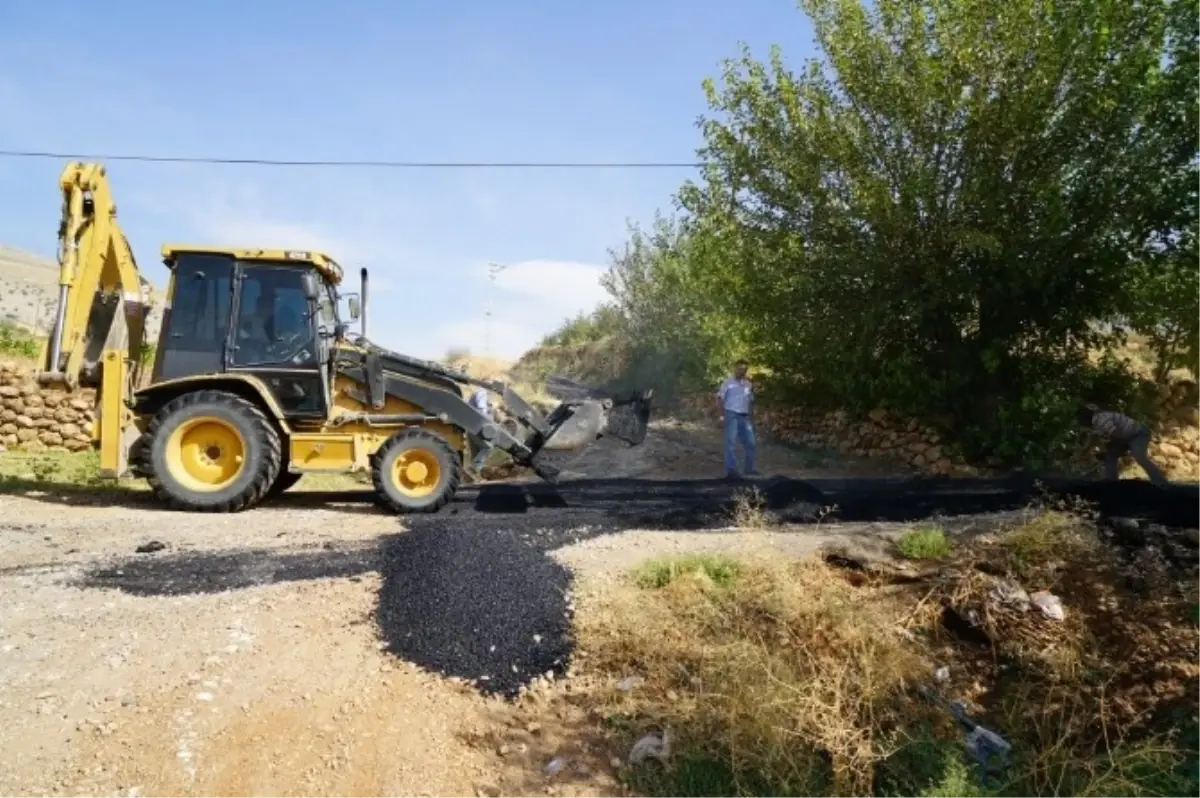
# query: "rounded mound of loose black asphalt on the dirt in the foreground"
x,y
477,604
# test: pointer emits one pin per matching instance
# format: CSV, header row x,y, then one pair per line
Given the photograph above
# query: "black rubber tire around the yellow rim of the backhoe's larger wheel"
x,y
261,428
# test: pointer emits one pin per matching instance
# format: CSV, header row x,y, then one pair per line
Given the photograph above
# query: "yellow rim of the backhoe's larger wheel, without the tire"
x,y
206,454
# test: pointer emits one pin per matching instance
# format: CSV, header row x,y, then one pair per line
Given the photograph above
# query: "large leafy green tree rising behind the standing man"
x,y
941,213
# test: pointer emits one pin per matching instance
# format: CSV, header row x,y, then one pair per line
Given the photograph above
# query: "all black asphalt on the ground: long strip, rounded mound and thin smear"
x,y
471,593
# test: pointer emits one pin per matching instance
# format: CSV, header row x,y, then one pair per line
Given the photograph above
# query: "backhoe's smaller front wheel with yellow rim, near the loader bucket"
x,y
416,471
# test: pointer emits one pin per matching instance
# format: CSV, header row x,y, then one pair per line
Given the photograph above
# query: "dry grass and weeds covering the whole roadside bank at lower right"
x,y
787,680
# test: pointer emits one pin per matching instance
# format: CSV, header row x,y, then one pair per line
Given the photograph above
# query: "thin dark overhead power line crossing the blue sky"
x,y
379,165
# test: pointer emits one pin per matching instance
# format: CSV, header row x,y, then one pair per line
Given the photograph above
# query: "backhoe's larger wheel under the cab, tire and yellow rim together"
x,y
212,452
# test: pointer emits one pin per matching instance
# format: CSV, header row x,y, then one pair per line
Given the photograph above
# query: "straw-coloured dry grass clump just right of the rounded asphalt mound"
x,y
785,671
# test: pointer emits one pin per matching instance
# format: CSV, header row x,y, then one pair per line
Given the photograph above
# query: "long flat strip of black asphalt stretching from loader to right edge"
x,y
699,505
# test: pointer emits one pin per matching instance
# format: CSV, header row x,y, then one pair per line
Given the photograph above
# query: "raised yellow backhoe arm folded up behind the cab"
x,y
99,329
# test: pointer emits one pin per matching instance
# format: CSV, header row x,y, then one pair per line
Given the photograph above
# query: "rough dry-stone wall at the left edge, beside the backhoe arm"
x,y
35,419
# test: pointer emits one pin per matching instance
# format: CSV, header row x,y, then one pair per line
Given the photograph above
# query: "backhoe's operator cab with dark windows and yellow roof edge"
x,y
265,314
